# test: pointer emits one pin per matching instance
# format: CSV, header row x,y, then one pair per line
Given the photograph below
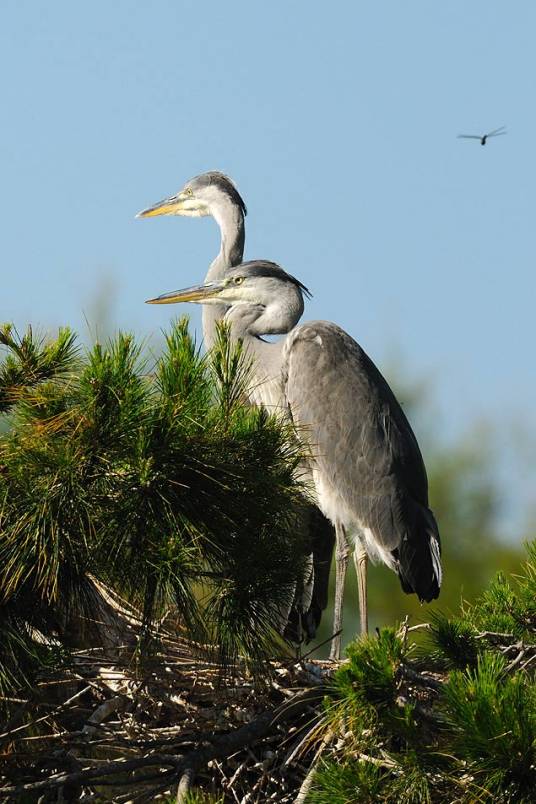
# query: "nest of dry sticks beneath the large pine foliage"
x,y
110,727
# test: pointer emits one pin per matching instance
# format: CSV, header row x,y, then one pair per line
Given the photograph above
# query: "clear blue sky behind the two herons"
x,y
338,122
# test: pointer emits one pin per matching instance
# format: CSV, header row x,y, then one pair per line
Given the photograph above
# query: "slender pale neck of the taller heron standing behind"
x,y
230,219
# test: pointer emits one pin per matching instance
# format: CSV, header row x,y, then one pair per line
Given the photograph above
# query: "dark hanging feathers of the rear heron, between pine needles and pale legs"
x,y
302,625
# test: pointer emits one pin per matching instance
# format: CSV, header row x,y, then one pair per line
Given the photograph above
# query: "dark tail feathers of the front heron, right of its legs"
x,y
419,557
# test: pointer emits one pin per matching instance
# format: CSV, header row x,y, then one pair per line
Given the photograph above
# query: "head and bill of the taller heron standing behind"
x,y
203,195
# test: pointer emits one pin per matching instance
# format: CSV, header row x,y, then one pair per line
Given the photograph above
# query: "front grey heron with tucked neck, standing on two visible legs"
x,y
366,468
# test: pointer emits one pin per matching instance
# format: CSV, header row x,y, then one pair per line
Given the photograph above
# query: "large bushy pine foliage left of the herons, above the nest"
x,y
156,481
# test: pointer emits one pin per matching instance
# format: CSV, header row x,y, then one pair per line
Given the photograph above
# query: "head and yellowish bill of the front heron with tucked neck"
x,y
261,286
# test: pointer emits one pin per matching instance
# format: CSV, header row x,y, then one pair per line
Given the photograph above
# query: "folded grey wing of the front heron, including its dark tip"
x,y
364,448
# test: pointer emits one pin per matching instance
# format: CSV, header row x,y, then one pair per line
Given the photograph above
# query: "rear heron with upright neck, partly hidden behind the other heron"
x,y
214,194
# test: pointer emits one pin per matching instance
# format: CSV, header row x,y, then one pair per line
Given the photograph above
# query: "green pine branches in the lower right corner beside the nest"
x,y
453,721
